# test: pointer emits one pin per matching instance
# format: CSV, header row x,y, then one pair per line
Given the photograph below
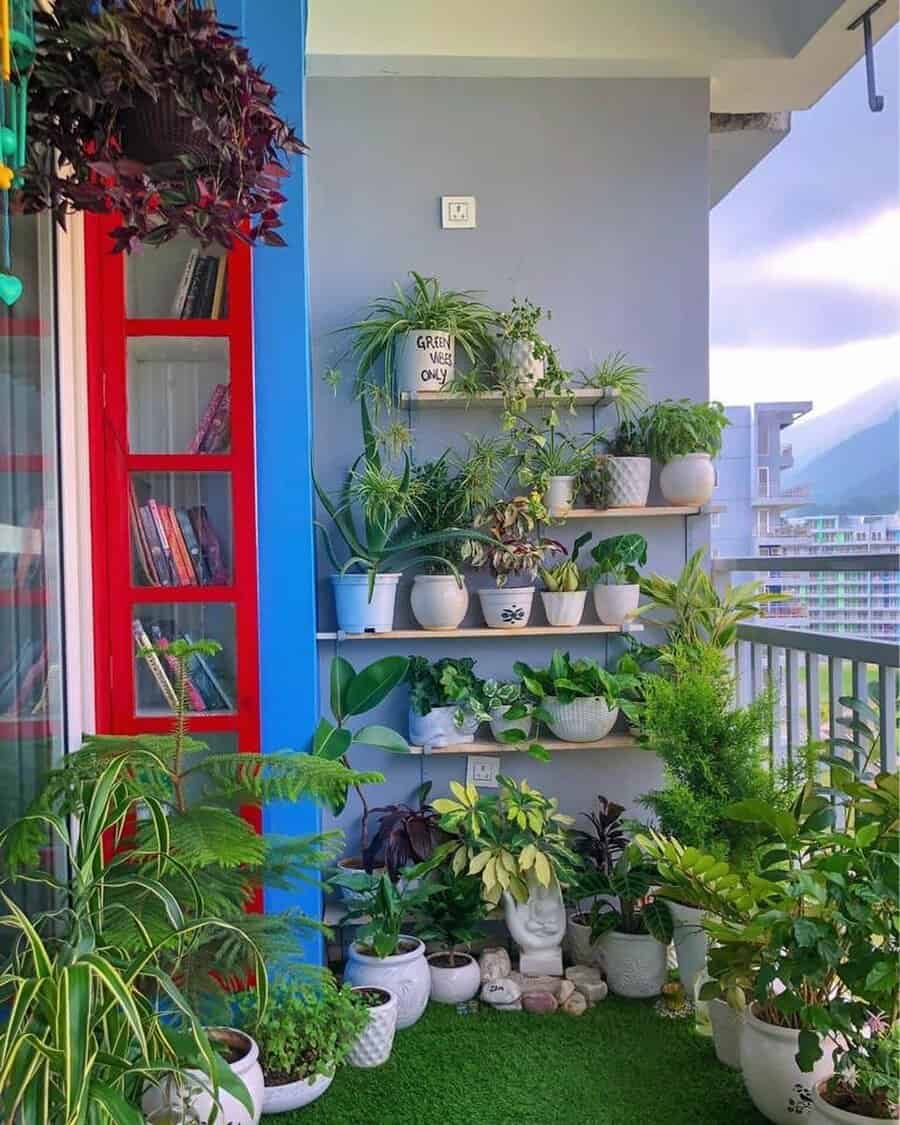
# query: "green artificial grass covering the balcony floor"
x,y
619,1064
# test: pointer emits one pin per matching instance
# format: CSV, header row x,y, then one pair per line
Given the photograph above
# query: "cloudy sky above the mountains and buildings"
x,y
806,255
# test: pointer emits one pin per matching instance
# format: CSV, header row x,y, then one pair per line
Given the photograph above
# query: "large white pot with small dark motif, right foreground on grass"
x,y
778,1087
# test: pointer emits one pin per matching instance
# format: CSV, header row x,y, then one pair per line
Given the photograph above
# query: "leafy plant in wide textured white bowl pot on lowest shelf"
x,y
579,700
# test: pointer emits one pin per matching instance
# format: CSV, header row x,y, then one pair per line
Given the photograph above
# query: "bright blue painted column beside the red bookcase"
x,y
275,32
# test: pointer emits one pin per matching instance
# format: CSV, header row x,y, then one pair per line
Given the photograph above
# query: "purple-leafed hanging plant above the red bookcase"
x,y
154,110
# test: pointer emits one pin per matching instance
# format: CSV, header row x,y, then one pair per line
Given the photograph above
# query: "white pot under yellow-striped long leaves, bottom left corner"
x,y
197,1096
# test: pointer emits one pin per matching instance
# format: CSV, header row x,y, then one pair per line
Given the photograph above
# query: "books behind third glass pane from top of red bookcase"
x,y
176,546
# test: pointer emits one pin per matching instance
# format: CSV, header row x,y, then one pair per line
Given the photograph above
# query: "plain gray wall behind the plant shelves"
x,y
593,202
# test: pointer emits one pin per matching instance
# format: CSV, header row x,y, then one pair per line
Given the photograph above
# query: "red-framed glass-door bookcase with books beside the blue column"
x,y
174,487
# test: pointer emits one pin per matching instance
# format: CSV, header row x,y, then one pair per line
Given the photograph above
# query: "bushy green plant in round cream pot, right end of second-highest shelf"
x,y
685,437
